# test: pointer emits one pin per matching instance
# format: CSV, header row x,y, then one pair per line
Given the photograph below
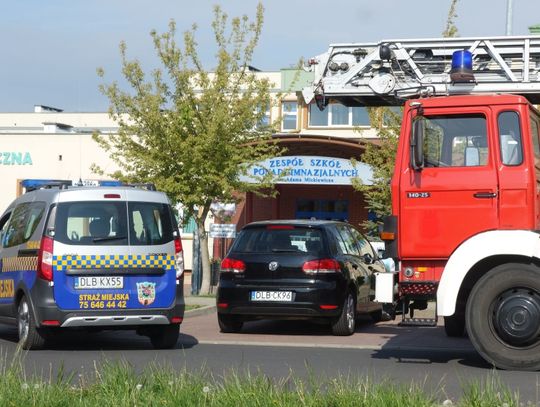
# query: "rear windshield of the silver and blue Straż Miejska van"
x,y
113,223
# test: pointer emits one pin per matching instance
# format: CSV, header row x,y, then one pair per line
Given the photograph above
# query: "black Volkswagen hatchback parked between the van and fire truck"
x,y
298,269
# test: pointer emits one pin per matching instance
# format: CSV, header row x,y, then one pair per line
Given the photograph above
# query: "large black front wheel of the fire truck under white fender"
x,y
503,316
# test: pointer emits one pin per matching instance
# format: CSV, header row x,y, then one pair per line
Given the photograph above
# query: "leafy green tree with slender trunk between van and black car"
x,y
192,132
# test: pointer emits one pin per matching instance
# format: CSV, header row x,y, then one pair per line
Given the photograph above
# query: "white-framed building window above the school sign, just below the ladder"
x,y
337,114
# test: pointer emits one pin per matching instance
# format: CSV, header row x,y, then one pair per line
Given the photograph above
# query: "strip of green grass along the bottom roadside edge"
x,y
117,384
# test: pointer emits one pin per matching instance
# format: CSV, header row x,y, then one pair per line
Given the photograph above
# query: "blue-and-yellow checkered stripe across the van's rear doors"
x,y
62,263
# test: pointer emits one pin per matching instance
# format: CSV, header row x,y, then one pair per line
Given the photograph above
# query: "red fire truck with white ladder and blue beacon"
x,y
465,223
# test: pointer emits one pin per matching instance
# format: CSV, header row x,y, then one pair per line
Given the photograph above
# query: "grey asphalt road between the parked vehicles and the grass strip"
x,y
284,349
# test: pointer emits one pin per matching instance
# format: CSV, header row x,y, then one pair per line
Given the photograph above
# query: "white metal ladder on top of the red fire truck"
x,y
386,73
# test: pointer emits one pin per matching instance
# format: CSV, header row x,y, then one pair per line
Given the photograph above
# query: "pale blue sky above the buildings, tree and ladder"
x,y
51,49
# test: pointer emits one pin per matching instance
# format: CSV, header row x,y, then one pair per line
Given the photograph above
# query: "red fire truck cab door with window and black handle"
x,y
454,194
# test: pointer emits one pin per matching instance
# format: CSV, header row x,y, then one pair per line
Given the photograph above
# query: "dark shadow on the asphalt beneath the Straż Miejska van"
x,y
70,340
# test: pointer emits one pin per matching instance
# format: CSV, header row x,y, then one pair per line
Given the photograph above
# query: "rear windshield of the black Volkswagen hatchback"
x,y
279,239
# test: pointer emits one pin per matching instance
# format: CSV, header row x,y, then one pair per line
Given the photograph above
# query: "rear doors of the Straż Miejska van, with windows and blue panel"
x,y
113,255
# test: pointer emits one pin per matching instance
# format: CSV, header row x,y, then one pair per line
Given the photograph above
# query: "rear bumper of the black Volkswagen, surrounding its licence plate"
x,y
320,299
